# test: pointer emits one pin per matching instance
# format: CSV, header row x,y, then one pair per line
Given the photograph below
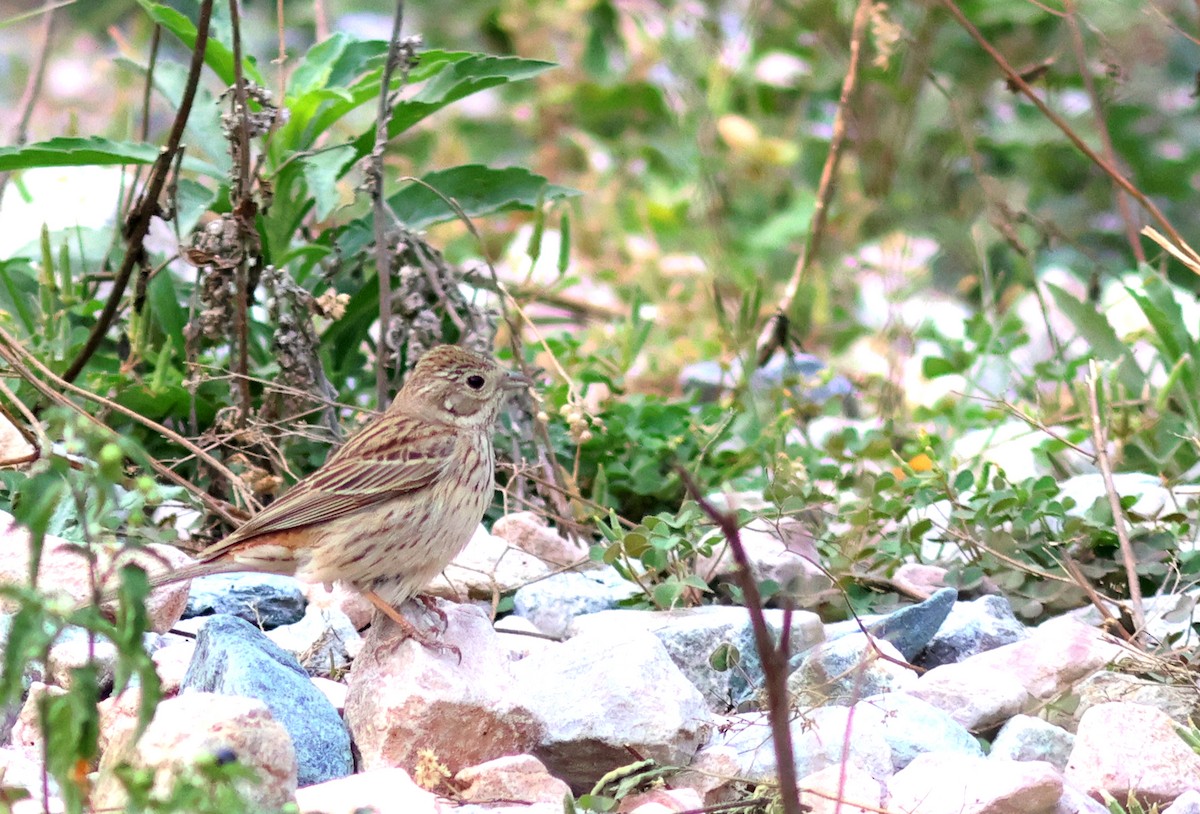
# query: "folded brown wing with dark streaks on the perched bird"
x,y
370,469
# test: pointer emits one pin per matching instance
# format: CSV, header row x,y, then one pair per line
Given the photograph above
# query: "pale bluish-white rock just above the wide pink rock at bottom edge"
x,y
913,727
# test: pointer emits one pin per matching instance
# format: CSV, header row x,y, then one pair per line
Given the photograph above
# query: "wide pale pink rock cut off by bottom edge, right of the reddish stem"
x,y
946,783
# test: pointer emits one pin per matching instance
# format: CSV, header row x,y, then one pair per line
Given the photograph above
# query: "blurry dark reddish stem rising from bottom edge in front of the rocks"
x,y
775,659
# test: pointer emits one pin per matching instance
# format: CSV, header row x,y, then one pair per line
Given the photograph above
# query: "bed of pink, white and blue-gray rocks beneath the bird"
x,y
945,707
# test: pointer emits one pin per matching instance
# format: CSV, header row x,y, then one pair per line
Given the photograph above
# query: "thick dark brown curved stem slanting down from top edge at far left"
x,y
139,223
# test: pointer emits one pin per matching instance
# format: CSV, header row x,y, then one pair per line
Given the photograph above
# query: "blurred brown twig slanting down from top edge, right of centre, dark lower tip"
x,y
829,176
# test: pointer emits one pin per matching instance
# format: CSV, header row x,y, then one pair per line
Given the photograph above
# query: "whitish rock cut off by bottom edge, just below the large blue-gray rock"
x,y
387,791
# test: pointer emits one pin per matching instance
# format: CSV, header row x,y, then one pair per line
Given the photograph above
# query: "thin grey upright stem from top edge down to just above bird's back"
x,y
375,172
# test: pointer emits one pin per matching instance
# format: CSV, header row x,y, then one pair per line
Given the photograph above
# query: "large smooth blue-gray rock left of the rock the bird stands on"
x,y
236,659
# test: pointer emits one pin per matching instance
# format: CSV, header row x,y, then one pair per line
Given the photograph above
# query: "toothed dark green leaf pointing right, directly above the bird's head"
x,y
478,191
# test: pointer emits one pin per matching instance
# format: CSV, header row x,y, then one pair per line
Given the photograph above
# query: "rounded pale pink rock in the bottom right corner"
x,y
1125,749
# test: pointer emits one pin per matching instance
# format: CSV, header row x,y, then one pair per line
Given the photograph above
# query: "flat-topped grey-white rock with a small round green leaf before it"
x,y
693,635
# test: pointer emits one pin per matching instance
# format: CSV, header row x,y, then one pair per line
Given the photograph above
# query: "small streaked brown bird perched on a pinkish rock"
x,y
397,504
